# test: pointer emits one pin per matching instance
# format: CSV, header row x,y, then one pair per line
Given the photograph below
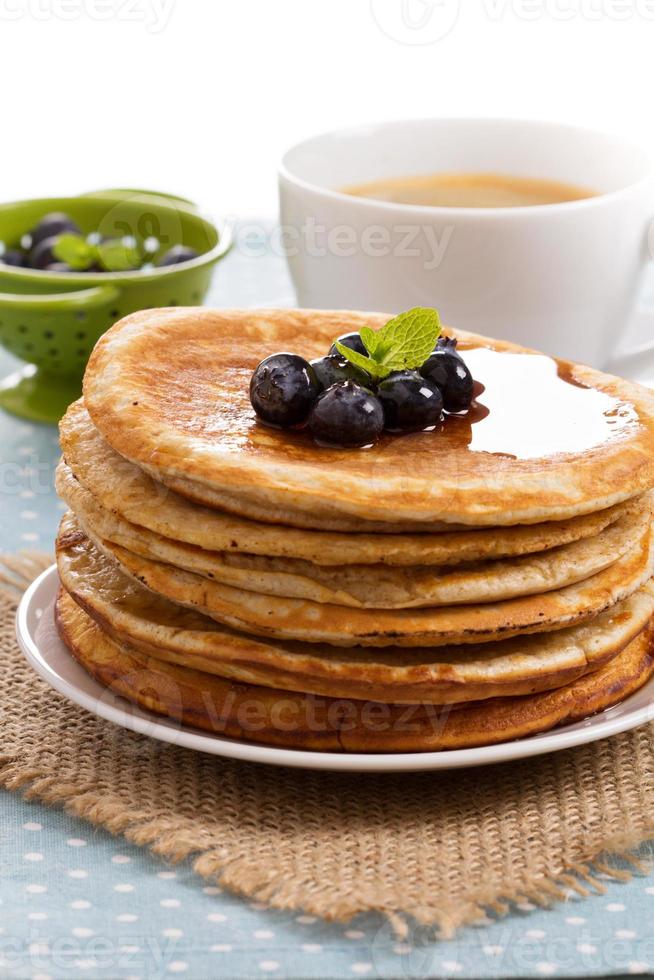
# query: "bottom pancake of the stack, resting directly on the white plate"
x,y
260,714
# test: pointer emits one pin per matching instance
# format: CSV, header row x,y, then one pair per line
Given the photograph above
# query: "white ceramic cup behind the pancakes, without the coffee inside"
x,y
562,277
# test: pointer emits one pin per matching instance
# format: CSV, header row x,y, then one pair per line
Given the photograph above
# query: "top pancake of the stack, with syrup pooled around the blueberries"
x,y
547,440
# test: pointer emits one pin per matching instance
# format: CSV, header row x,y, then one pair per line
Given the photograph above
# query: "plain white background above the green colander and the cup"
x,y
201,97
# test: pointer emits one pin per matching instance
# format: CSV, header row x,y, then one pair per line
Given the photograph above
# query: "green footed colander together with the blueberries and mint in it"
x,y
70,267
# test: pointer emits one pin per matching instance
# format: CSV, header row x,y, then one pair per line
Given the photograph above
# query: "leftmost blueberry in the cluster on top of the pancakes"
x,y
283,389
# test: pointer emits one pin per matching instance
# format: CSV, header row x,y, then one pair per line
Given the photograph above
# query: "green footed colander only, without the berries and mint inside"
x,y
52,320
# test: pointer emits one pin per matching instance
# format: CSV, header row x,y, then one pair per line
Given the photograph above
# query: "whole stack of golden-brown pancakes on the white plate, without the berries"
x,y
442,589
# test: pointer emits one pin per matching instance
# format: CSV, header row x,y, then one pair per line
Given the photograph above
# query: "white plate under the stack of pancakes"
x,y
40,642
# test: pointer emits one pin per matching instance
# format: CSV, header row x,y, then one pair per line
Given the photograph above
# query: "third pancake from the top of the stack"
x,y
367,586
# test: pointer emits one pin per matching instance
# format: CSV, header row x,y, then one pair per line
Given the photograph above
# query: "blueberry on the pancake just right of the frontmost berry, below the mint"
x,y
410,402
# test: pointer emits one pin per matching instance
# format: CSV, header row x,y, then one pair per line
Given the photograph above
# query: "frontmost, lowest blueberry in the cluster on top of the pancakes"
x,y
346,415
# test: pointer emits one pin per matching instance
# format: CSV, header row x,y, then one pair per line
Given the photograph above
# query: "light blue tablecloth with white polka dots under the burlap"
x,y
77,902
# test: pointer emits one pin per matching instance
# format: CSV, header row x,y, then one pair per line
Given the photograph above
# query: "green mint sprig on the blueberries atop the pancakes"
x,y
403,343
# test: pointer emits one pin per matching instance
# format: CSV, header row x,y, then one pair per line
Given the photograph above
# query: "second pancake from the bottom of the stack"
x,y
131,614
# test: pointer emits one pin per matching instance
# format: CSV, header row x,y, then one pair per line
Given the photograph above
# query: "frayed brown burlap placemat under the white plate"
x,y
437,849
